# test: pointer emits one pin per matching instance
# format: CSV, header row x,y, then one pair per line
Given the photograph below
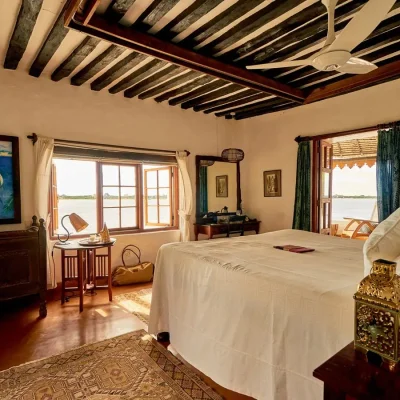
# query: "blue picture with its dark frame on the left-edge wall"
x,y
10,197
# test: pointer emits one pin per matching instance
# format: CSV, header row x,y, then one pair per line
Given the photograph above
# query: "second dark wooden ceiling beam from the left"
x,y
50,45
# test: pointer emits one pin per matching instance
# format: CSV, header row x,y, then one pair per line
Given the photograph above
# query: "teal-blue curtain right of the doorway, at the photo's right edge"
x,y
388,171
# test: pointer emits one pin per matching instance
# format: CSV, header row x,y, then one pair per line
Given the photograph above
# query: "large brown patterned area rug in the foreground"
x,y
132,366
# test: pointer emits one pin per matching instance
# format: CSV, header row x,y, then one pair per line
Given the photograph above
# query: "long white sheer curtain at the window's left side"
x,y
43,153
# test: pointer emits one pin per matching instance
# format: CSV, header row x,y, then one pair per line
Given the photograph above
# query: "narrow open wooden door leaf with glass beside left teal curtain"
x,y
325,187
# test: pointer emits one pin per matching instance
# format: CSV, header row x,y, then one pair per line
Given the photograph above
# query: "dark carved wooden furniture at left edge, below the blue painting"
x,y
23,264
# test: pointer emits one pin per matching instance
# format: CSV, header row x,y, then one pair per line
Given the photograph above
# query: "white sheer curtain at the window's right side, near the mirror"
x,y
185,196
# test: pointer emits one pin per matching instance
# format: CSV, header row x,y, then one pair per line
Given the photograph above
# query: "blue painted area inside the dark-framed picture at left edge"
x,y
6,188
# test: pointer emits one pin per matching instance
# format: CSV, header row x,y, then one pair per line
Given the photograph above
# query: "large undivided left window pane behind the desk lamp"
x,y
76,193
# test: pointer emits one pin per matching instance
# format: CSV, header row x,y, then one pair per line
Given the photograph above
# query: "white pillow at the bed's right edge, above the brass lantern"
x,y
384,242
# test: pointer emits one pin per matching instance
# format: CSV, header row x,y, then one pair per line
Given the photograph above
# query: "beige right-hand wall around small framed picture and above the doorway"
x,y
268,143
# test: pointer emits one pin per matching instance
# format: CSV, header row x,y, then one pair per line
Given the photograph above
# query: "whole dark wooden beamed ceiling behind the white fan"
x,y
156,53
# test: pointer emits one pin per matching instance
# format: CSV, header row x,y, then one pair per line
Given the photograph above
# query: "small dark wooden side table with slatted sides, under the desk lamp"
x,y
85,268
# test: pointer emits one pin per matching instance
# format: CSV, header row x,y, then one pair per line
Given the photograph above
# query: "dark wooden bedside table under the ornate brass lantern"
x,y
349,376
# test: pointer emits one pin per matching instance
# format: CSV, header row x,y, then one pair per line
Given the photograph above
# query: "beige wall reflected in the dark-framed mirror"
x,y
217,203
